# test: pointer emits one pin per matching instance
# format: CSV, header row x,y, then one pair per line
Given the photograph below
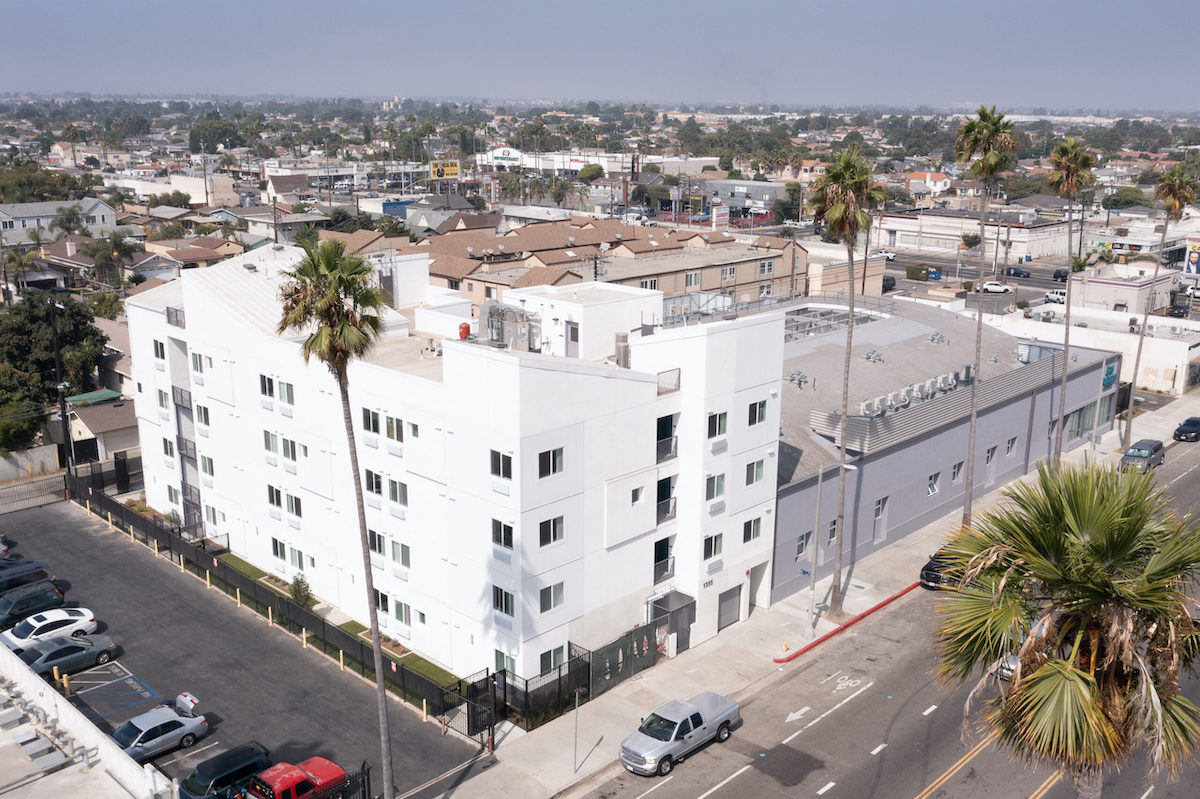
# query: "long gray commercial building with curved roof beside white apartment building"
x,y
908,428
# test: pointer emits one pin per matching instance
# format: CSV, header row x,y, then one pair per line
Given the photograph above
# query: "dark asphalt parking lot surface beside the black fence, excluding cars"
x,y
254,682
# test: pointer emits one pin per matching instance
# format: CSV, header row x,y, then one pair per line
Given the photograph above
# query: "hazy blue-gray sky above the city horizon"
x,y
1100,55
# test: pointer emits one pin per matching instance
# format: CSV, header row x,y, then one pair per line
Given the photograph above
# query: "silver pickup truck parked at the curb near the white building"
x,y
676,730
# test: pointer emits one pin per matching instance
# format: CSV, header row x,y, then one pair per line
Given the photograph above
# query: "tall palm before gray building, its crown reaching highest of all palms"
x,y
988,139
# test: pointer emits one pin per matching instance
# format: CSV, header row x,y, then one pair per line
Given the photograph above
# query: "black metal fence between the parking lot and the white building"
x,y
460,710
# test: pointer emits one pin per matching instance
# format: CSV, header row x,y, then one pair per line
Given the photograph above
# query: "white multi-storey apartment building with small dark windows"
x,y
543,485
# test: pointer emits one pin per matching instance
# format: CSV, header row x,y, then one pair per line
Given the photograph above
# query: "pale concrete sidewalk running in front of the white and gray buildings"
x,y
543,764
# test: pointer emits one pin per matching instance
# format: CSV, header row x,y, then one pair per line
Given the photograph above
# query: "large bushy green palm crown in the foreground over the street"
x,y
1081,587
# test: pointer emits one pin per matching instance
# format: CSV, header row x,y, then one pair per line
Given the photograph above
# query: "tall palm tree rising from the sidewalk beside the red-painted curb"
x,y
842,197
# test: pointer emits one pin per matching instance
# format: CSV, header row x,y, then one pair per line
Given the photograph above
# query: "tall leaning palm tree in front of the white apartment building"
x,y
333,298
